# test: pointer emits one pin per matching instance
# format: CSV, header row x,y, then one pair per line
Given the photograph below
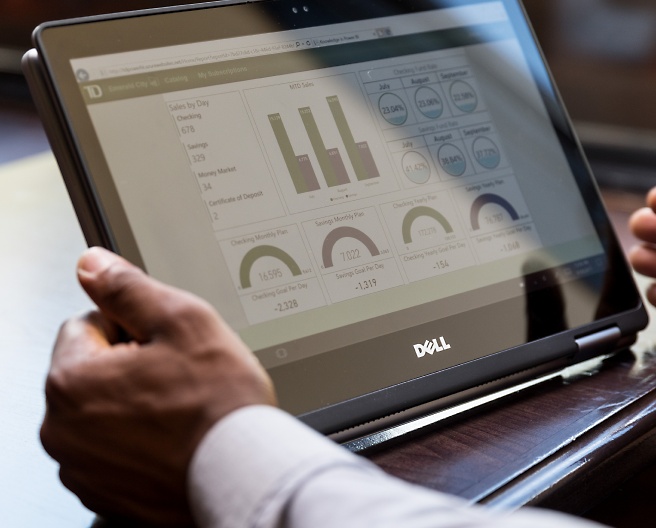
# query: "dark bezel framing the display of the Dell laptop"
x,y
59,42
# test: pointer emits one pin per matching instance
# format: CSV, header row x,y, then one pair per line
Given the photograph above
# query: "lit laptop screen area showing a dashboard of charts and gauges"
x,y
324,178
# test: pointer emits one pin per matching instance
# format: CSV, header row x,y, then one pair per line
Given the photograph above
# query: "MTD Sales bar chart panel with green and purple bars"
x,y
322,141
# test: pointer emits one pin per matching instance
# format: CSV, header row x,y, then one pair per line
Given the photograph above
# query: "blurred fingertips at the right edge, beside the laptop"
x,y
643,256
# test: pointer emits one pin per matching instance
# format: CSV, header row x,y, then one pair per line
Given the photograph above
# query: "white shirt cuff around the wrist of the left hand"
x,y
250,463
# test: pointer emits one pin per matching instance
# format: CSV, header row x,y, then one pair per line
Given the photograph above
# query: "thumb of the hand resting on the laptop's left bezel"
x,y
138,303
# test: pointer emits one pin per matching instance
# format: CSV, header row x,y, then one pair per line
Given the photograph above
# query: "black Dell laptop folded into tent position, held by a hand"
x,y
385,199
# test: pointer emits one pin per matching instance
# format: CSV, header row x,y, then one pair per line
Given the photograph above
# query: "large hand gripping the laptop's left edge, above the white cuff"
x,y
124,416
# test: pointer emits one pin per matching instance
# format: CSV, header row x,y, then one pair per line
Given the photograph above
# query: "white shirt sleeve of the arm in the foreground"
x,y
260,467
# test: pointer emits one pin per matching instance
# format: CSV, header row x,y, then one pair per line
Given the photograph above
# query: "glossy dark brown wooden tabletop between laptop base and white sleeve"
x,y
563,445
